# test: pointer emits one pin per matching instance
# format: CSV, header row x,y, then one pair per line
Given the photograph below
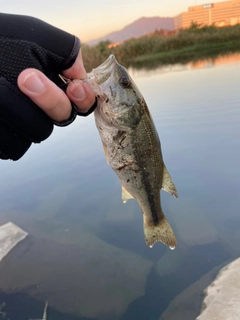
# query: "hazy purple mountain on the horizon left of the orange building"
x,y
137,29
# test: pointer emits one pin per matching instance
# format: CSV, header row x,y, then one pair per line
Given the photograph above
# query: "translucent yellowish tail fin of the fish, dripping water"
x,y
160,232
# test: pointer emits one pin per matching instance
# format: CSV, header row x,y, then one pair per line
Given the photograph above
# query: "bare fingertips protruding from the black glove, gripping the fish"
x,y
50,98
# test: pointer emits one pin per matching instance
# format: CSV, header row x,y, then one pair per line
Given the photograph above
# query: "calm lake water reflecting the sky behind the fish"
x,y
86,252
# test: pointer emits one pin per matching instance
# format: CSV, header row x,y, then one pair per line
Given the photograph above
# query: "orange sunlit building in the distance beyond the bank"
x,y
219,13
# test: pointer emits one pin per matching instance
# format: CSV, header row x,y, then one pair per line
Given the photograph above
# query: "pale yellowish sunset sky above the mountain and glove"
x,y
91,19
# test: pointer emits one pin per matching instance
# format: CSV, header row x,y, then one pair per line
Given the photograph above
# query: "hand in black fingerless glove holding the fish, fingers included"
x,y
32,55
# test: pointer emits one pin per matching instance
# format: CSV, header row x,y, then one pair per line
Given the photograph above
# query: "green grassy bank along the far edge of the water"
x,y
190,44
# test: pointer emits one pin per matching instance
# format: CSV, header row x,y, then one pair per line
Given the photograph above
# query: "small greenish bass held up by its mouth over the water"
x,y
132,147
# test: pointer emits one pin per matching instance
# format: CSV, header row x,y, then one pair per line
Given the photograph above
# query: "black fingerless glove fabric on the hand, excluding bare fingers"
x,y
27,42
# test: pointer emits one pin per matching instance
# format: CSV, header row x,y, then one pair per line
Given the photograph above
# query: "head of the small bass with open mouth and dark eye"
x,y
120,101
